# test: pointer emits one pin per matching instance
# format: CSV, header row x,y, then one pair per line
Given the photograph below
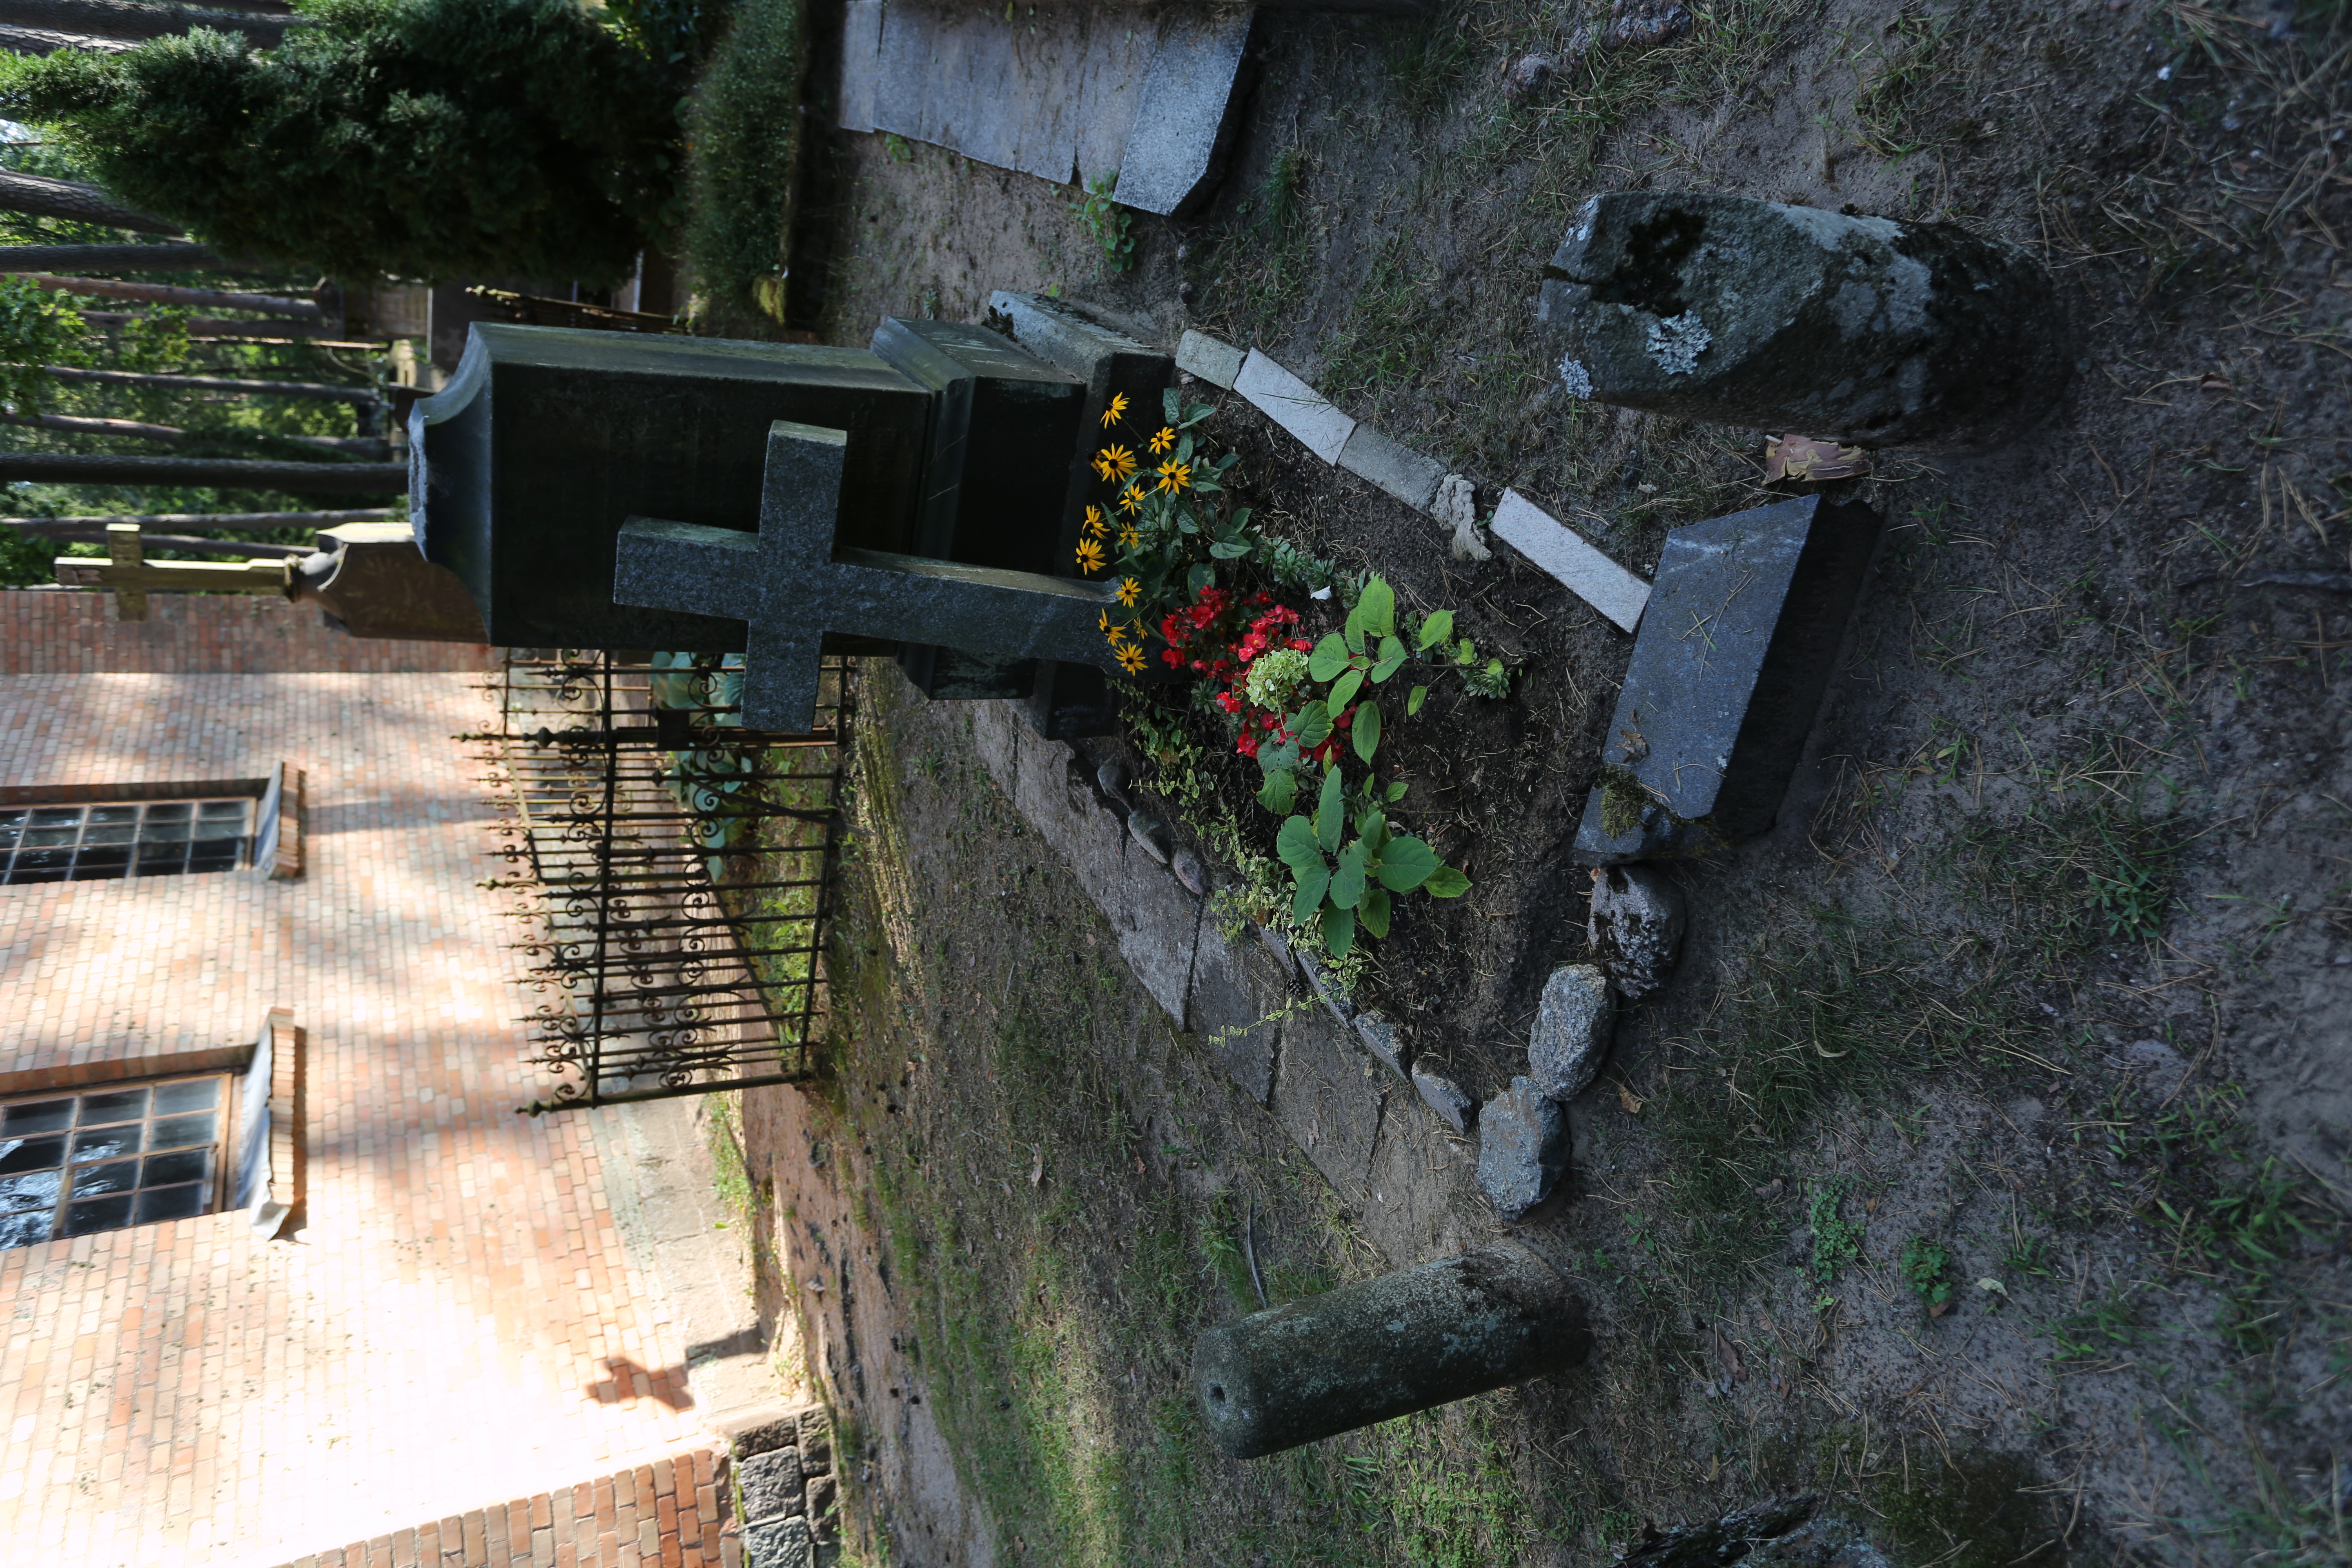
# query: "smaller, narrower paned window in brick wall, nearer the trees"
x,y
123,840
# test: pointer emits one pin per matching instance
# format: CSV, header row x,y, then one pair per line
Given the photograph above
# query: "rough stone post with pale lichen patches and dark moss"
x,y
1800,321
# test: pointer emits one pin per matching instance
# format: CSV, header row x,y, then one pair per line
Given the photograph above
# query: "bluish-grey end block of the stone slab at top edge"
x,y
1187,112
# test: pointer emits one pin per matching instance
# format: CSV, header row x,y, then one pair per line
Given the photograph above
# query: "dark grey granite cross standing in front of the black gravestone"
x,y
791,587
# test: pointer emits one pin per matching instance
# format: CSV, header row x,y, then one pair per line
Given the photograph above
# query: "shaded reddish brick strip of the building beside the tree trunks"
x,y
58,631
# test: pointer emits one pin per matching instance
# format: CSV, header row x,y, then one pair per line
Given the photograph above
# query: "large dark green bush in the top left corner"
x,y
408,138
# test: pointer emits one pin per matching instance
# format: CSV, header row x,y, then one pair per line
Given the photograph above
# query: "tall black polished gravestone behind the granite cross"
x,y
956,448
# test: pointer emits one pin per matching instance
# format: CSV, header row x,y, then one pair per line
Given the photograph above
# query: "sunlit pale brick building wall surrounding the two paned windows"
x,y
457,1320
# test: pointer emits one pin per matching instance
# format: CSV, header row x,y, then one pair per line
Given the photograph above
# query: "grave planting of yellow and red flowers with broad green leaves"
x,y
1290,671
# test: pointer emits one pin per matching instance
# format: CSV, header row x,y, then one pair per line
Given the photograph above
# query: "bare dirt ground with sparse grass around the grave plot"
x,y
1986,1165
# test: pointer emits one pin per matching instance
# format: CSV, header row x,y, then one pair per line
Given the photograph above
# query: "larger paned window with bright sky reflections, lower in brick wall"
x,y
109,1158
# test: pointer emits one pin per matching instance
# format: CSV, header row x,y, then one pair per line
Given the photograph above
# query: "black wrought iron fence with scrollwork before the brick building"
x,y
676,871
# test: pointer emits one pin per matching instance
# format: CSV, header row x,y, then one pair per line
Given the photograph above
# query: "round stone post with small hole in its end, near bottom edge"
x,y
1391,1346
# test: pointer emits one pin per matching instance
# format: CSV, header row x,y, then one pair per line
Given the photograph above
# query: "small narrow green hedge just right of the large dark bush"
x,y
744,163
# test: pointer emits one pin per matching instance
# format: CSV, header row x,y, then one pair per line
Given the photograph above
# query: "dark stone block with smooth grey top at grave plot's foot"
x,y
1728,678
